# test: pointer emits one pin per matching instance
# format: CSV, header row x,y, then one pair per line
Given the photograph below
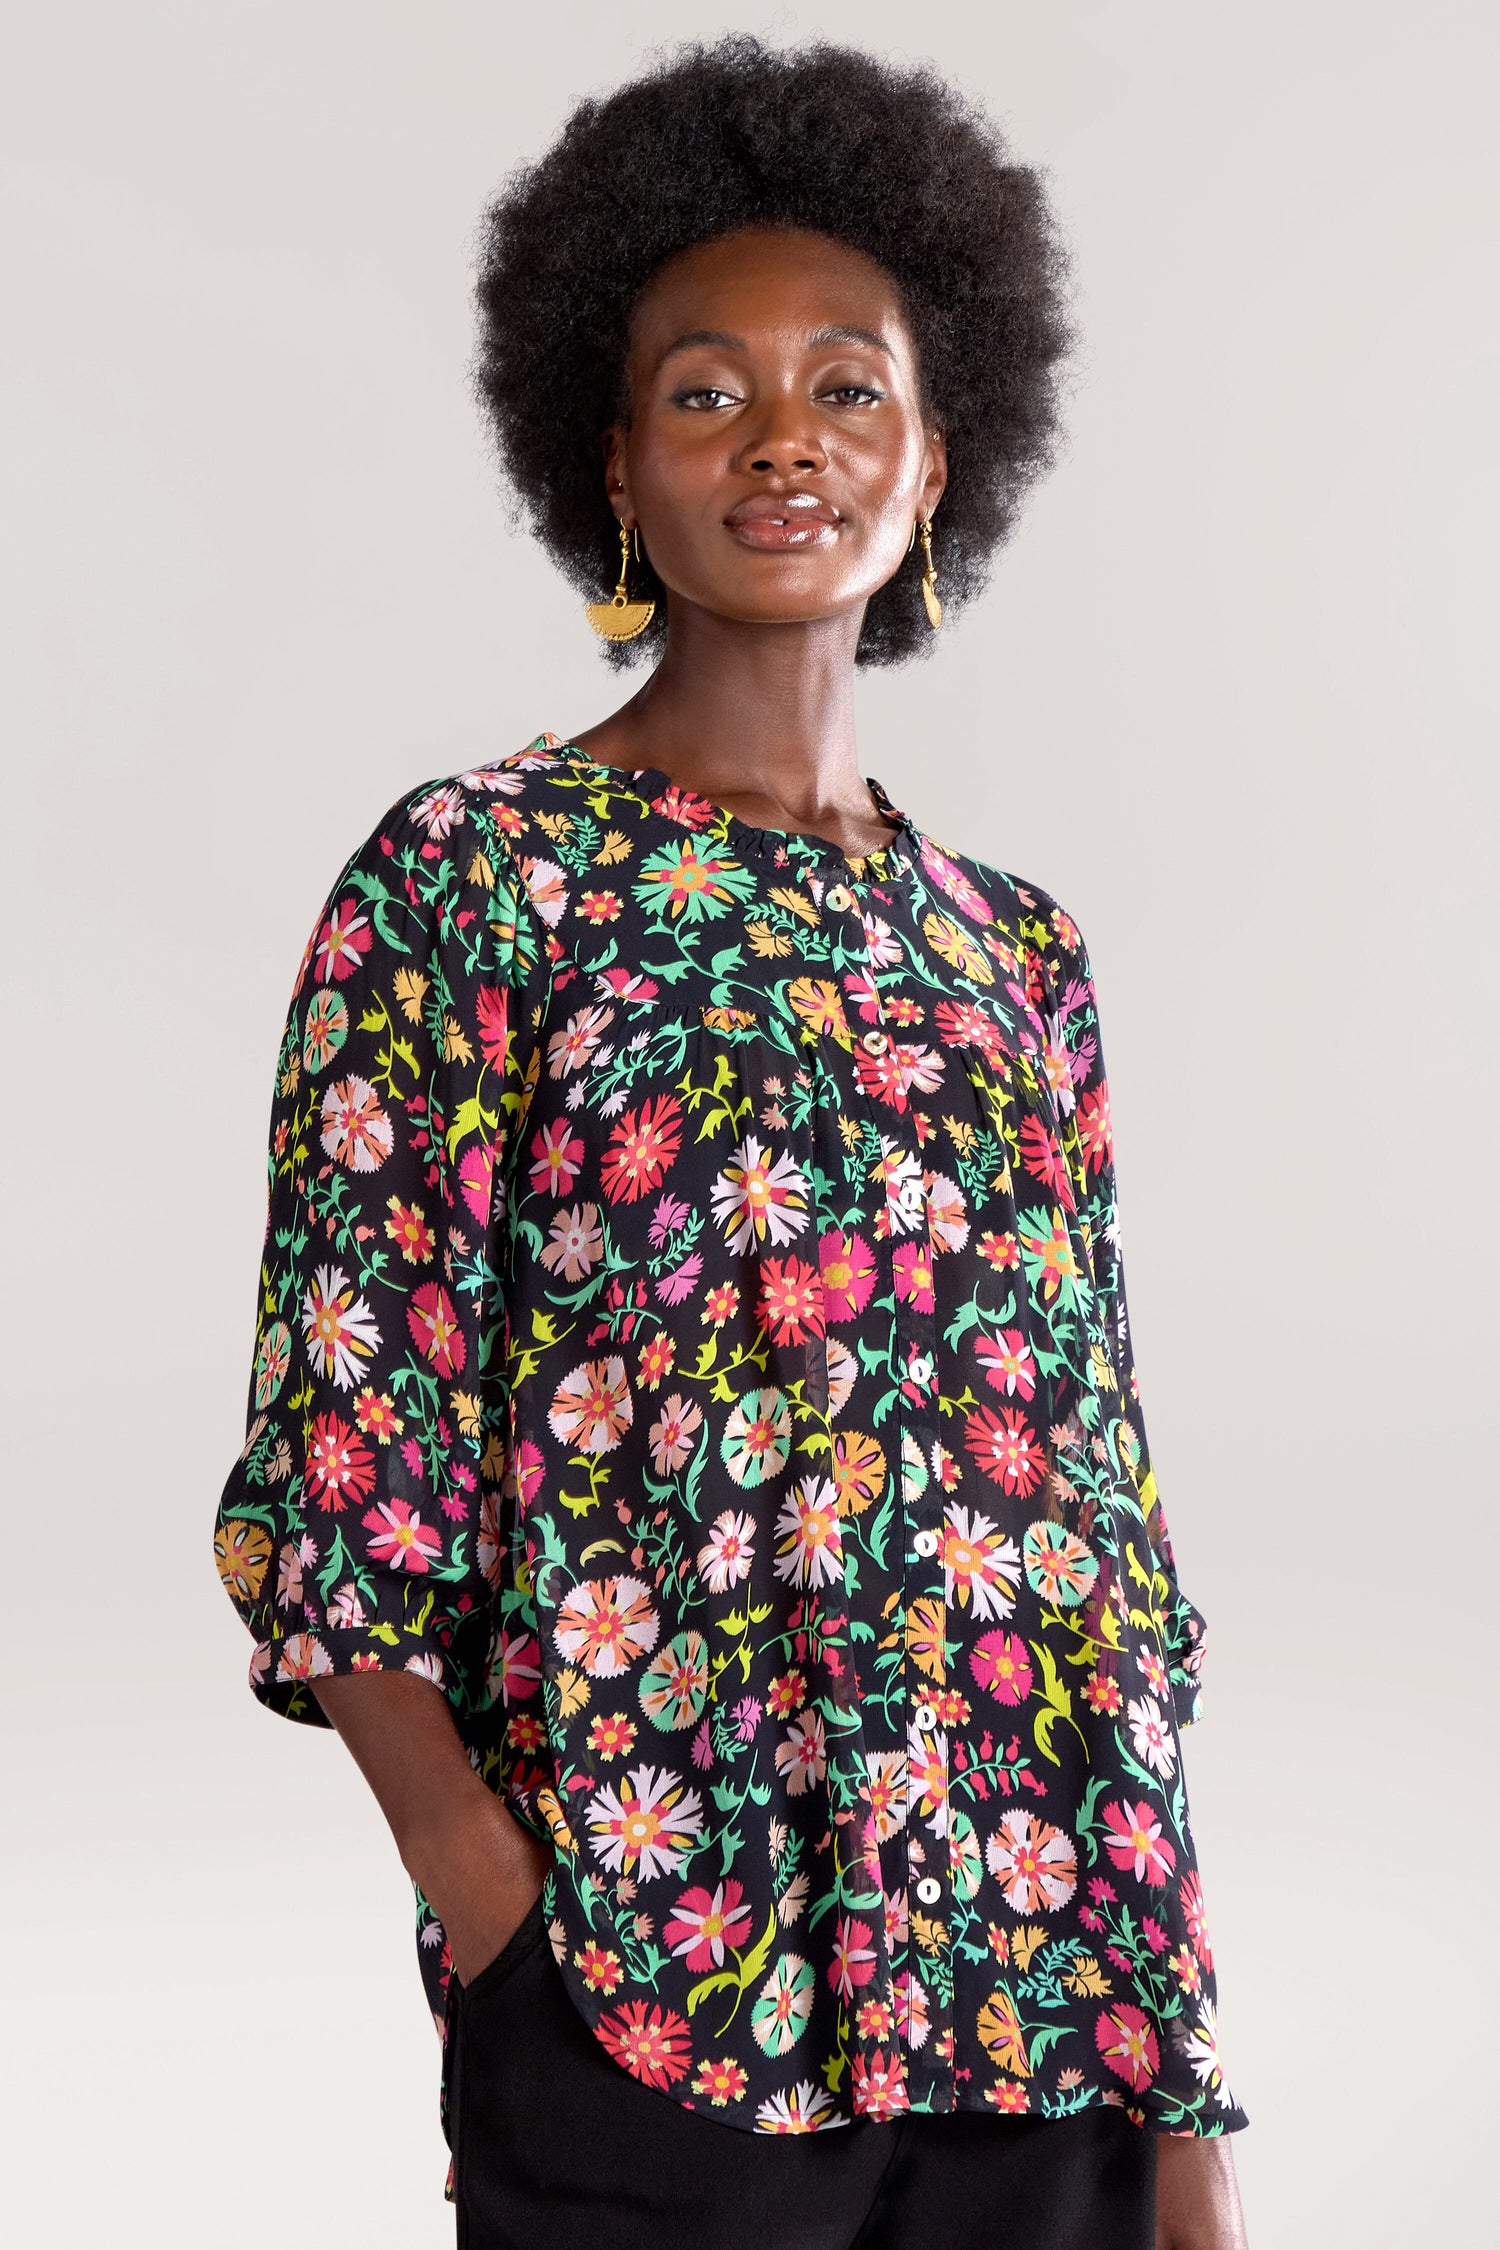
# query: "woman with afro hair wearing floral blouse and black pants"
x,y
694,1374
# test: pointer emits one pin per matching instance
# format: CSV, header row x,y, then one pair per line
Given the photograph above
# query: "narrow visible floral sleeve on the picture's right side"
x,y
1092,1162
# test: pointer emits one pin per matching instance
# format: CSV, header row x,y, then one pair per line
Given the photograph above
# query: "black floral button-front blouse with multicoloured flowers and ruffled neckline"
x,y
694,1335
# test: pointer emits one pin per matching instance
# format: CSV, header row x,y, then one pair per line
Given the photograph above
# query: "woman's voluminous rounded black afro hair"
x,y
714,138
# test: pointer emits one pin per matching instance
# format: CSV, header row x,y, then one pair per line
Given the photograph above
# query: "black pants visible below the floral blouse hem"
x,y
561,2150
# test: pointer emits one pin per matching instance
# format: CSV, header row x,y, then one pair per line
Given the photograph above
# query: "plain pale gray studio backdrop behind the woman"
x,y
1227,699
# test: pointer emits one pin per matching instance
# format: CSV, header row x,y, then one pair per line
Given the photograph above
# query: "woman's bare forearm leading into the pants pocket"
x,y
462,1848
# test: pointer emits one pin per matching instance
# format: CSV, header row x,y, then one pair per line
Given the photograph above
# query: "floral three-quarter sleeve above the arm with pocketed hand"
x,y
356,1529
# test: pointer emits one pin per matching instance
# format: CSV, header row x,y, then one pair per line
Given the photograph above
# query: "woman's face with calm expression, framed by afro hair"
x,y
777,456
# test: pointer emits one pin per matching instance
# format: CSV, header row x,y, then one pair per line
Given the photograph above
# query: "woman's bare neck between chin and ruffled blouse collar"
x,y
748,717
